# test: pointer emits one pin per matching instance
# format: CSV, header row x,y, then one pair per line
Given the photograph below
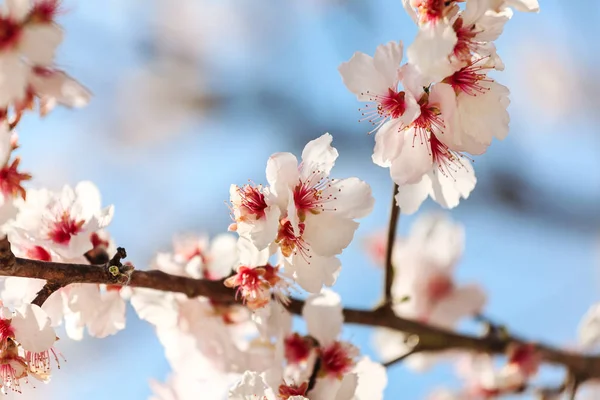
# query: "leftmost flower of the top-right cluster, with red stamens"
x,y
375,80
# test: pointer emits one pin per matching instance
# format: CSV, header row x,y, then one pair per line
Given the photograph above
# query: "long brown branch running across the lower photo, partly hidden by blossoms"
x,y
430,338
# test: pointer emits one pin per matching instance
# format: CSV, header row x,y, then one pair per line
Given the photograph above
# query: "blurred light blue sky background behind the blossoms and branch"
x,y
193,95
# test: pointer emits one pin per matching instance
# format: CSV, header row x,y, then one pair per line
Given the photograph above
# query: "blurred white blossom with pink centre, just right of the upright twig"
x,y
424,265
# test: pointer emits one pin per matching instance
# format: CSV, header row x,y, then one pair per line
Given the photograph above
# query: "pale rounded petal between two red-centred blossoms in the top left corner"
x,y
39,42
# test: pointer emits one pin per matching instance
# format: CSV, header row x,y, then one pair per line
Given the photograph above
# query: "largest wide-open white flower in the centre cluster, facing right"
x,y
319,212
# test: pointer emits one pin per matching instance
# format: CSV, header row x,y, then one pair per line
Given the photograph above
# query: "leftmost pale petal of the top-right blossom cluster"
x,y
362,78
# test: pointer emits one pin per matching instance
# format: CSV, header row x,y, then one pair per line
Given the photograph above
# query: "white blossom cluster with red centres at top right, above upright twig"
x,y
442,103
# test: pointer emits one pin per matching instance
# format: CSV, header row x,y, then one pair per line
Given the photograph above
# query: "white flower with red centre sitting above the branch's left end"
x,y
62,222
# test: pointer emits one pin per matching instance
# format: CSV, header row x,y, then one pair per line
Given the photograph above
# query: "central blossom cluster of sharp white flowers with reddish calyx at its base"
x,y
303,218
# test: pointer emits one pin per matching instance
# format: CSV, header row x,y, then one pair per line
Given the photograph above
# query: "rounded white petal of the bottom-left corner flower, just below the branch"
x,y
33,328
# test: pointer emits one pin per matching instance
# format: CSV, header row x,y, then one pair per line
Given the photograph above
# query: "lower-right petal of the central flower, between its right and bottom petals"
x,y
328,234
